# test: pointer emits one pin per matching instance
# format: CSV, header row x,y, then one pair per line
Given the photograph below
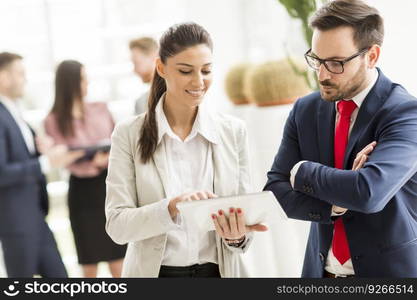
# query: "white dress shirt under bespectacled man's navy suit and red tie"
x,y
332,264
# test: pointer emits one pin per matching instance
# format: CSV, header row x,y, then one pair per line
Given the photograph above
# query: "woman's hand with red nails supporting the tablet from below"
x,y
234,227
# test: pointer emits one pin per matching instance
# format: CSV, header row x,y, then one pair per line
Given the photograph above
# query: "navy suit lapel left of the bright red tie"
x,y
326,123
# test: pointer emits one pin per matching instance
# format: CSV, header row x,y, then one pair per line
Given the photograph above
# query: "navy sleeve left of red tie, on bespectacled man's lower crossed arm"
x,y
296,204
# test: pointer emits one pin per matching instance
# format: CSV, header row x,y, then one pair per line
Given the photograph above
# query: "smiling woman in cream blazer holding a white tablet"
x,y
177,151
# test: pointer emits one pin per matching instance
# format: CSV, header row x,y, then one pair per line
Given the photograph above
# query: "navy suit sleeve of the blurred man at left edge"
x,y
16,173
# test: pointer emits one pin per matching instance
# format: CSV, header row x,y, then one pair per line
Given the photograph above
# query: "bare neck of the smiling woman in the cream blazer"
x,y
180,117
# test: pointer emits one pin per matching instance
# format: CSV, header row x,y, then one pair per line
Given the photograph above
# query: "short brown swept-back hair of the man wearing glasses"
x,y
364,19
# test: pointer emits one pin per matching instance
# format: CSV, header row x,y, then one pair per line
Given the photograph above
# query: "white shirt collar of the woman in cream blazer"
x,y
203,124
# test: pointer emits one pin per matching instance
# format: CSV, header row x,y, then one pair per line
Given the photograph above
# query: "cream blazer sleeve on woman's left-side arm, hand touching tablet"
x,y
125,221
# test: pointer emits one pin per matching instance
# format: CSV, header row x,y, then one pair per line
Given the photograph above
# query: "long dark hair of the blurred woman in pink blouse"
x,y
67,91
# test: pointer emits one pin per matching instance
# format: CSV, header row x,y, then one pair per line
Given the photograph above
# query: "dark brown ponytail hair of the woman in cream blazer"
x,y
176,39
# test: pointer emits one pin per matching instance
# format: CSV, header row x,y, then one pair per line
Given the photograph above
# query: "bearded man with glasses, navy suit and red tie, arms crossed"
x,y
363,220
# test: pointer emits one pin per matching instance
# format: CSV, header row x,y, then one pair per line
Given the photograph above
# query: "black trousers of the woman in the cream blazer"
x,y
204,270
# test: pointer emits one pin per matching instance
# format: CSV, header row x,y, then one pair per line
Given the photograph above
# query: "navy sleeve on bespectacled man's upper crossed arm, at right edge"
x,y
389,167
